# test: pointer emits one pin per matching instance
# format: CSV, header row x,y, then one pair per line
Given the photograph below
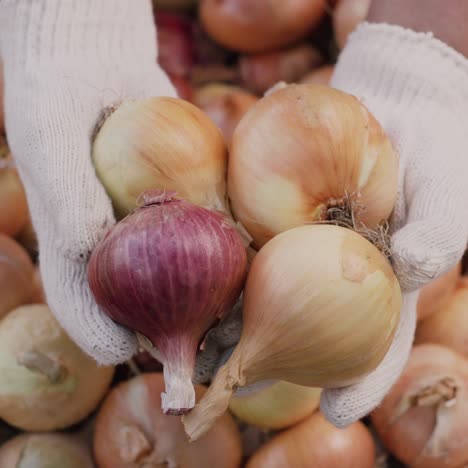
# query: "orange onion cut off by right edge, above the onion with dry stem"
x,y
449,325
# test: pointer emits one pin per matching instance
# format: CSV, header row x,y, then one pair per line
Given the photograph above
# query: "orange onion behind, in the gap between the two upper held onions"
x,y
225,105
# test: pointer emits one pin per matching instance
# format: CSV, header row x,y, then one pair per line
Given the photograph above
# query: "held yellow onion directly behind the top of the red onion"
x,y
164,143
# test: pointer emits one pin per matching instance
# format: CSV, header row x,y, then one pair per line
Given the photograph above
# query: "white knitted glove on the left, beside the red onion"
x,y
64,62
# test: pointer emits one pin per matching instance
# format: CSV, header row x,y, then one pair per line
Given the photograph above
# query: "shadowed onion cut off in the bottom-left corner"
x,y
45,450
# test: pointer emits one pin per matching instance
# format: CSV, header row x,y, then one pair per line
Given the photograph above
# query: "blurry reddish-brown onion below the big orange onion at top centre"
x,y
260,72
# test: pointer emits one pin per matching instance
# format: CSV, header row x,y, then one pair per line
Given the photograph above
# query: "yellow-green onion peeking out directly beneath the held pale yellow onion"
x,y
276,406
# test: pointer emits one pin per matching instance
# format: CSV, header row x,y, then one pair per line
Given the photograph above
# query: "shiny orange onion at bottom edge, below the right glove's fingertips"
x,y
317,443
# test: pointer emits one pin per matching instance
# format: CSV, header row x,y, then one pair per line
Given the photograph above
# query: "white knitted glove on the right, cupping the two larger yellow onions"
x,y
417,88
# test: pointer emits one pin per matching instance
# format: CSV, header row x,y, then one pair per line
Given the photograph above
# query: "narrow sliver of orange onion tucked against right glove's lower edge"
x,y
435,294
